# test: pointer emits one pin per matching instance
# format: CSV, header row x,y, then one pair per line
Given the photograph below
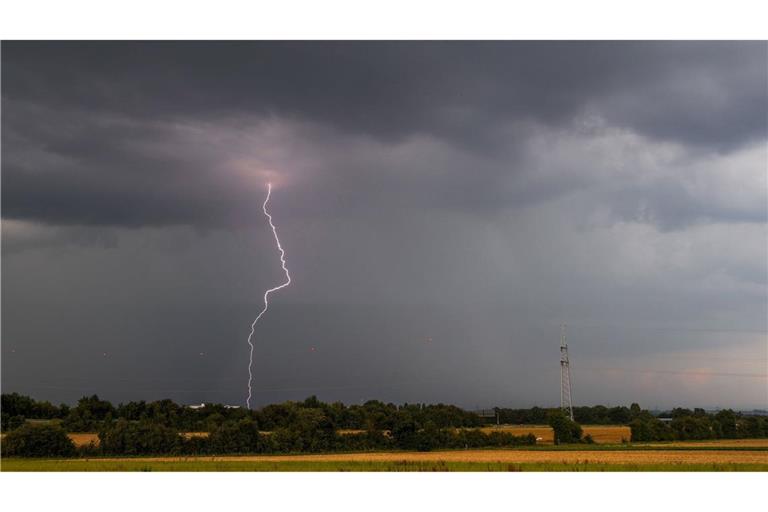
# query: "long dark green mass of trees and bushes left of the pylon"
x,y
311,426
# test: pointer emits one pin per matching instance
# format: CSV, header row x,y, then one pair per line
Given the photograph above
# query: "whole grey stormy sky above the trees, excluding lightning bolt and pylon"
x,y
444,207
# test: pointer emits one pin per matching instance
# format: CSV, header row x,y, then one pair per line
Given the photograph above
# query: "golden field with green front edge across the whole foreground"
x,y
751,457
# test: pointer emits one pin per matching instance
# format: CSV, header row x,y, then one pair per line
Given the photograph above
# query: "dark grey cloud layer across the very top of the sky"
x,y
705,93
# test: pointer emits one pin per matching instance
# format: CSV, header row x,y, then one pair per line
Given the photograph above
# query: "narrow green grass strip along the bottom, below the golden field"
x,y
208,465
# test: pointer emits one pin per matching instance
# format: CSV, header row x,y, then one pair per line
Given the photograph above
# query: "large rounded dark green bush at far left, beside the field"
x,y
37,440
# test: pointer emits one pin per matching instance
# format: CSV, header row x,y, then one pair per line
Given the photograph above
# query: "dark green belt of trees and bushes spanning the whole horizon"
x,y
312,426
